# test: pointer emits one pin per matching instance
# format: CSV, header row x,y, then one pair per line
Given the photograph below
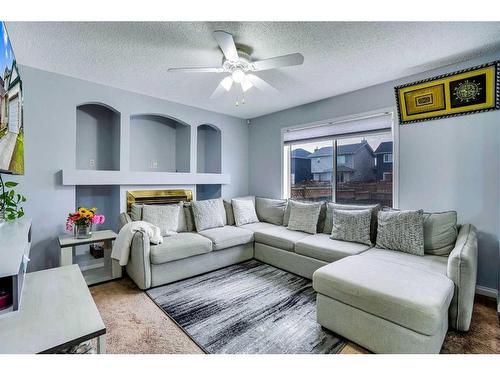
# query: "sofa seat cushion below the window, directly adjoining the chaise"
x,y
322,247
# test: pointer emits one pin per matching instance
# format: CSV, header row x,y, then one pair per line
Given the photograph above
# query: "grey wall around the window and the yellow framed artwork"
x,y
449,164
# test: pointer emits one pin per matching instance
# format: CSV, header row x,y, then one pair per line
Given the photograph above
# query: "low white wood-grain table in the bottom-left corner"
x,y
57,312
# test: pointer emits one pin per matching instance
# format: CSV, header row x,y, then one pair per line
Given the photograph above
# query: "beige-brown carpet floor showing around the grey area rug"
x,y
136,325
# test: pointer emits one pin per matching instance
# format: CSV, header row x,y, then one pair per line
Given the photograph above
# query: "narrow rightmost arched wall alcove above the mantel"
x,y
209,149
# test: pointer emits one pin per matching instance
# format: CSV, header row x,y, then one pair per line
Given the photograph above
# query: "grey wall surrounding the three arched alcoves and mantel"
x,y
50,102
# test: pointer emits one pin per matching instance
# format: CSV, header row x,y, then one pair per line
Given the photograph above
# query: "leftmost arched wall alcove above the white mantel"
x,y
97,137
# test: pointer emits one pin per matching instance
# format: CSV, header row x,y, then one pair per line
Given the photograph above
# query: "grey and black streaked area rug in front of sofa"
x,y
248,308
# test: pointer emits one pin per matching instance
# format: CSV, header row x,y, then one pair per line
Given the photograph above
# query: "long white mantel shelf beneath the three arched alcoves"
x,y
90,177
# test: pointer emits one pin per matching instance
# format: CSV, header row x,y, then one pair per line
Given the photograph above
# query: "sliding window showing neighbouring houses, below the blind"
x,y
350,169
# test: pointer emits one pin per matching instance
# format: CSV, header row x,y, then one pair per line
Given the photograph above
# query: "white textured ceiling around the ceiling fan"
x,y
339,56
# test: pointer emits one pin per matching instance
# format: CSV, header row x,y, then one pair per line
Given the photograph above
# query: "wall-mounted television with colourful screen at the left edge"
x,y
11,109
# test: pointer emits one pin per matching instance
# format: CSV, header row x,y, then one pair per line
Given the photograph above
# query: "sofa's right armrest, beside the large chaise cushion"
x,y
462,270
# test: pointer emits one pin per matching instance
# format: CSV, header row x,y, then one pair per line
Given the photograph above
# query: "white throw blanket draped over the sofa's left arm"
x,y
121,246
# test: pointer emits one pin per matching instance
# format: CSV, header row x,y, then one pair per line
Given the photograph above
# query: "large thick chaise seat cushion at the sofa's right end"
x,y
404,295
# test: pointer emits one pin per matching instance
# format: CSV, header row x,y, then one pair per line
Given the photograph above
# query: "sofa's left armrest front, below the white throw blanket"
x,y
139,266
